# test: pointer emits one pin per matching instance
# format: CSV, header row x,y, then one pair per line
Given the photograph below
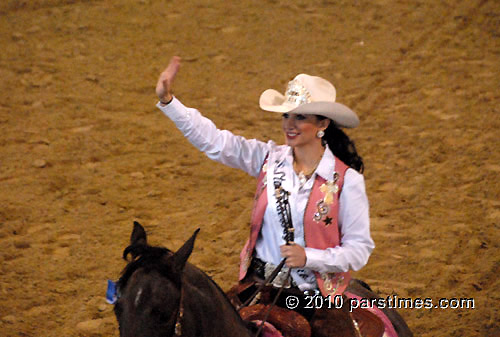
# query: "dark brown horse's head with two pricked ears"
x,y
150,288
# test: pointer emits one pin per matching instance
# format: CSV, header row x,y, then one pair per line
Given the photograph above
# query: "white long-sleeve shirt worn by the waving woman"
x,y
248,155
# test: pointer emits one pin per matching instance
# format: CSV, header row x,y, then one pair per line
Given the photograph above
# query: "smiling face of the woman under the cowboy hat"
x,y
300,130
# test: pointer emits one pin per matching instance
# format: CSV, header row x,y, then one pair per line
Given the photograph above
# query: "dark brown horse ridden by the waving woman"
x,y
160,294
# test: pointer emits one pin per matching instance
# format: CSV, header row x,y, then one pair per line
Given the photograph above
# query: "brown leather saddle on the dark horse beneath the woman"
x,y
323,322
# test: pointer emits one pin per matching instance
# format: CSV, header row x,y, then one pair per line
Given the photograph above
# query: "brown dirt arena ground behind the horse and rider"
x,y
84,152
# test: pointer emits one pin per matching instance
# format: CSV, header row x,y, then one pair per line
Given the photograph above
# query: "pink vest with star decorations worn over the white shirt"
x,y
321,228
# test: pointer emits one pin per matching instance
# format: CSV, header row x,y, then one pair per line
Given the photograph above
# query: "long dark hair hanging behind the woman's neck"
x,y
342,146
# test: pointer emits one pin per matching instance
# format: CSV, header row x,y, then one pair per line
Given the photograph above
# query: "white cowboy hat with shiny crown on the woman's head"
x,y
310,95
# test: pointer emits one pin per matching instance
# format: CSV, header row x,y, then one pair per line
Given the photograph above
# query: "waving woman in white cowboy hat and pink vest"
x,y
318,171
